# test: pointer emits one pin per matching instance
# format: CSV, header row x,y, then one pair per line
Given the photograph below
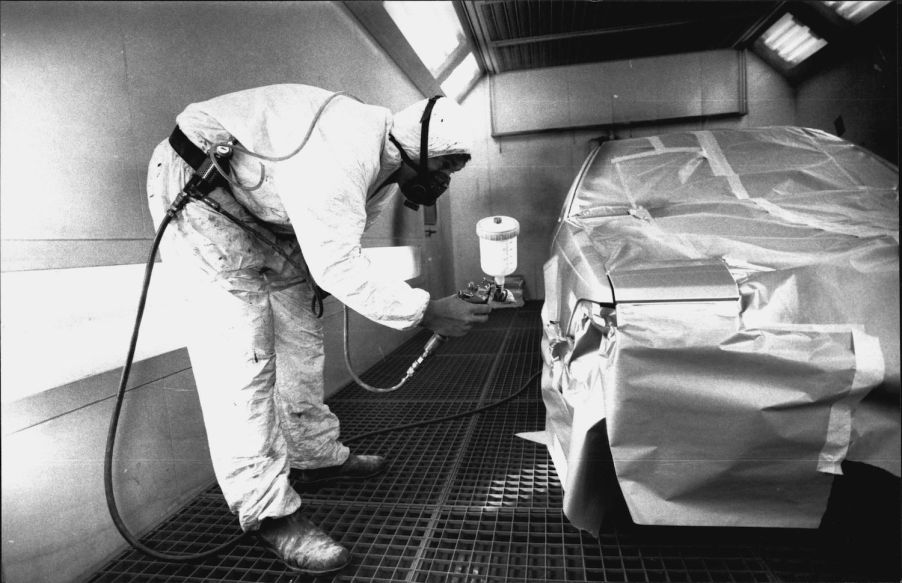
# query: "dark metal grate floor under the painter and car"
x,y
468,501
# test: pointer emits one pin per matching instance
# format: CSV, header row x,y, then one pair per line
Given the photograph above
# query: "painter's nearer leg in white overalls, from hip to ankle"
x,y
229,328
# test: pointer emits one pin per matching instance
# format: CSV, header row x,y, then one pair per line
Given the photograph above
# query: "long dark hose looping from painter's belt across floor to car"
x,y
117,410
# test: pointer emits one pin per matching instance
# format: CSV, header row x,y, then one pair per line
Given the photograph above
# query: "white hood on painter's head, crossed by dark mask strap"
x,y
449,130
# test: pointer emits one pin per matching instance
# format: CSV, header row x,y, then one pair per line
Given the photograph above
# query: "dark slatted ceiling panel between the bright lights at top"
x,y
514,35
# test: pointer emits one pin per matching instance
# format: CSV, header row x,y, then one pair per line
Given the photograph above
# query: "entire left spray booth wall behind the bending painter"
x,y
89,89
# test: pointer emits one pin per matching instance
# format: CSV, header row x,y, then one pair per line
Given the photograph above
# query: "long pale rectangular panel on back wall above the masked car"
x,y
619,92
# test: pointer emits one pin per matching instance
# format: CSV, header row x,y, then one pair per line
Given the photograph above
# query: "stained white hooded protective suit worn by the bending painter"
x,y
256,348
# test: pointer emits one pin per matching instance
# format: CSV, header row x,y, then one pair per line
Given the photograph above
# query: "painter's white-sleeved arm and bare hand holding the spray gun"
x,y
323,190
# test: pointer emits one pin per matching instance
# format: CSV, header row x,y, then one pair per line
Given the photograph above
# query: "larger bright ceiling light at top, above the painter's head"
x,y
431,28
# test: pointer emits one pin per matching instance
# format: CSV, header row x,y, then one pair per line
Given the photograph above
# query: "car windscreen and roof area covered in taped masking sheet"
x,y
709,166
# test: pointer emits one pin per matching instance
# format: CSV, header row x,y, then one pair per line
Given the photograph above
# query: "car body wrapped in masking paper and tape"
x,y
722,323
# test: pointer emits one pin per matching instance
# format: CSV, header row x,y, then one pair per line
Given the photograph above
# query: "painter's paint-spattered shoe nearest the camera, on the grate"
x,y
302,545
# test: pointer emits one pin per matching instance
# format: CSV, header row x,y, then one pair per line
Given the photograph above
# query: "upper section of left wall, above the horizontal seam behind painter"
x,y
90,88
